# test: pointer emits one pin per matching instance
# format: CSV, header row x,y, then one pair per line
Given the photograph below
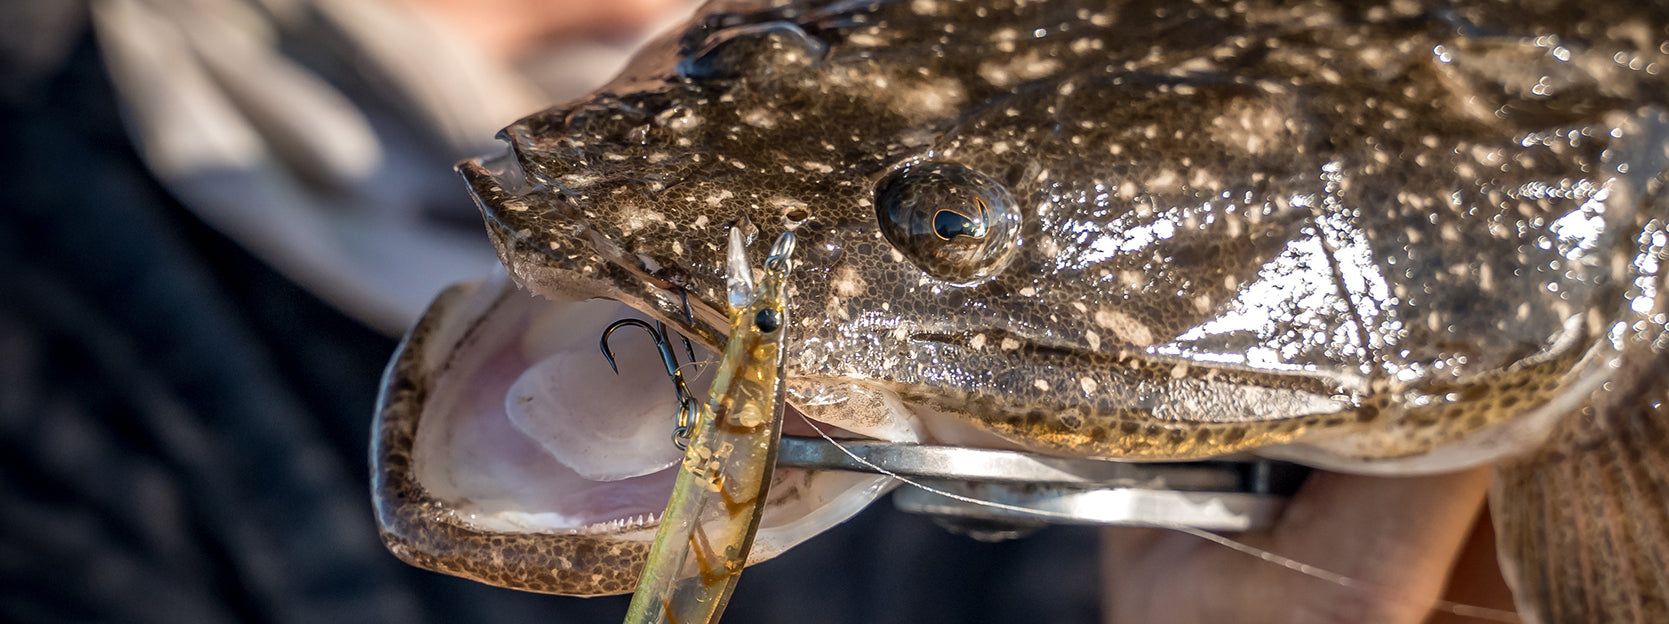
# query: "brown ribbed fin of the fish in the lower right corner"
x,y
1583,523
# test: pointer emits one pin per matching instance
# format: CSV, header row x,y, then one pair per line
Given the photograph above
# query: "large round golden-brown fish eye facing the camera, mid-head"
x,y
950,221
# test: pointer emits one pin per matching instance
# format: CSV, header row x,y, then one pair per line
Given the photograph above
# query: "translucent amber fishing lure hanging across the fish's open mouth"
x,y
720,493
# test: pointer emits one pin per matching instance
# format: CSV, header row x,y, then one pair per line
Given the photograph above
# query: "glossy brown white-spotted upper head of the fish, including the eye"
x,y
1348,234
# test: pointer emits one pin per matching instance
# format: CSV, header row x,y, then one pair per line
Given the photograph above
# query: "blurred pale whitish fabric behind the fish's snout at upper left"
x,y
320,134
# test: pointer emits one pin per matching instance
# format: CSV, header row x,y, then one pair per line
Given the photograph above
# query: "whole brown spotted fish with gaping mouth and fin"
x,y
1373,238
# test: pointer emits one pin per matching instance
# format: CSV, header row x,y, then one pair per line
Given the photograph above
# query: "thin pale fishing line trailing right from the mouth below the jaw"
x,y
1293,565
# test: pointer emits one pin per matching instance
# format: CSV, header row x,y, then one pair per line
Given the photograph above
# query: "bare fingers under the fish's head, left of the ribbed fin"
x,y
1399,536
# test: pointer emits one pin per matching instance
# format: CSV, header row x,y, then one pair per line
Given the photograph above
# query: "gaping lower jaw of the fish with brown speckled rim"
x,y
461,490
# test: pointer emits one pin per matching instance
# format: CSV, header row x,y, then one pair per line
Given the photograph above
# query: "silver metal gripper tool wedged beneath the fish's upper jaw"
x,y
1032,490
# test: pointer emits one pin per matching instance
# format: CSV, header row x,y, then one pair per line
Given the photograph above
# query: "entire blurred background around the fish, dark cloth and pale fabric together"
x,y
216,218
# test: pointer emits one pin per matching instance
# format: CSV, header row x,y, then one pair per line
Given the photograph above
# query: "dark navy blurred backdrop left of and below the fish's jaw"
x,y
184,430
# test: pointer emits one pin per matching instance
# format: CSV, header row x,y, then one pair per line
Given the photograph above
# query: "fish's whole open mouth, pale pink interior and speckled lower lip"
x,y
507,450
